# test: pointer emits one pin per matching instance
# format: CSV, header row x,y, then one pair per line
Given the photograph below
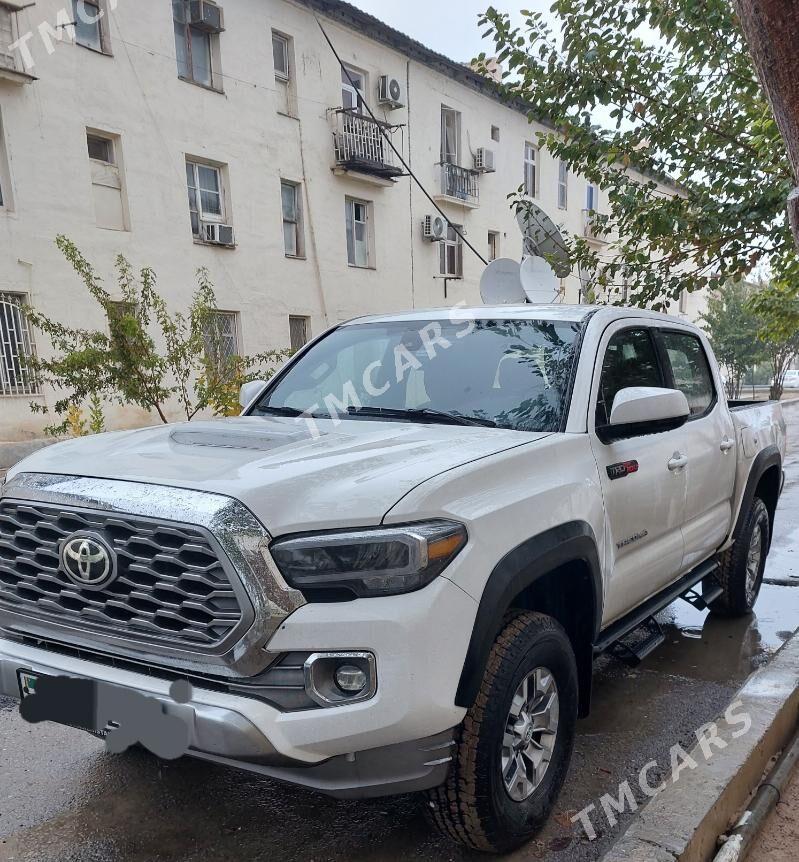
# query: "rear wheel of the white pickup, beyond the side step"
x,y
743,565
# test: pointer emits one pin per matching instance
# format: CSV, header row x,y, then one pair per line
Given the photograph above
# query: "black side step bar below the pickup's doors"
x,y
609,638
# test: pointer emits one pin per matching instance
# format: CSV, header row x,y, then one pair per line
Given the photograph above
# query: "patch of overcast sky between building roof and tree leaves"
x,y
447,26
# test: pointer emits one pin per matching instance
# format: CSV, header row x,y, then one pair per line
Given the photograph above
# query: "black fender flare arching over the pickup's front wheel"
x,y
534,558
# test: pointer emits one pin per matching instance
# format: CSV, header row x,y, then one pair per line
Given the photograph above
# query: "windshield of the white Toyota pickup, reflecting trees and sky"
x,y
508,373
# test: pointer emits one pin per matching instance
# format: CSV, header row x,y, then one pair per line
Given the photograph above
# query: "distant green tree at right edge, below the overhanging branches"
x,y
777,307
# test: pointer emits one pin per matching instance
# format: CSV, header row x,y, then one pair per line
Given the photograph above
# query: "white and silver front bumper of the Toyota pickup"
x,y
396,742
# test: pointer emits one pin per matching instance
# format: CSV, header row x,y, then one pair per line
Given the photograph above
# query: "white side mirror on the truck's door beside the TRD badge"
x,y
640,410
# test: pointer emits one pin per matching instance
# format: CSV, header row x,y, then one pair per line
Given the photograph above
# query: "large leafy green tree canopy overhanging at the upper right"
x,y
677,85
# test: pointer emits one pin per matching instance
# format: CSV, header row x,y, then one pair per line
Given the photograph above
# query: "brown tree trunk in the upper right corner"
x,y
772,32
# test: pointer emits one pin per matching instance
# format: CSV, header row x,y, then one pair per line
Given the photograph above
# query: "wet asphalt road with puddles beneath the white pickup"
x,y
62,798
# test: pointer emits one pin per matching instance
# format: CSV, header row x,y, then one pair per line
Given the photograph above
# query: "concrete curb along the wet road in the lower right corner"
x,y
683,822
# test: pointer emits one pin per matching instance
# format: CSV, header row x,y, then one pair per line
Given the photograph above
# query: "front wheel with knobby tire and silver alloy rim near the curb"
x,y
514,746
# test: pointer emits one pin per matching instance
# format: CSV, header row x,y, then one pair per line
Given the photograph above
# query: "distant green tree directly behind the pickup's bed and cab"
x,y
733,329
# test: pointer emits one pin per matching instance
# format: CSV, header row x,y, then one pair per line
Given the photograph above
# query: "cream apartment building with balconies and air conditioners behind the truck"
x,y
187,134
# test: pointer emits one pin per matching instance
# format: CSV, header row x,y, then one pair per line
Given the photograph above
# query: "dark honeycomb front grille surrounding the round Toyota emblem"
x,y
170,581
